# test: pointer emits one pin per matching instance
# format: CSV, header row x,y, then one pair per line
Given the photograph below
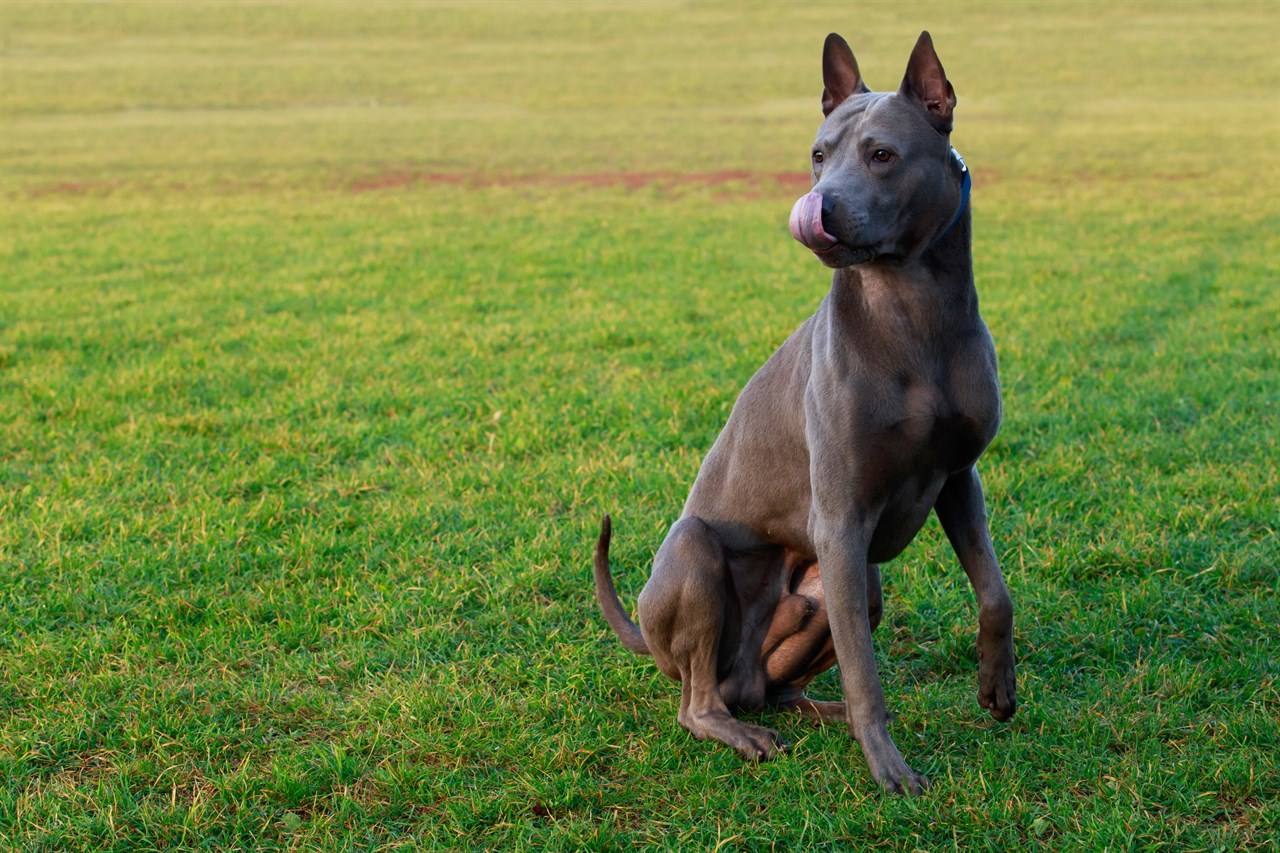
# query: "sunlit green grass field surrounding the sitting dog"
x,y
330,331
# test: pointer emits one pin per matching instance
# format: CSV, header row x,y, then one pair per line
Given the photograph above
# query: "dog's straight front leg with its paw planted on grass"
x,y
842,549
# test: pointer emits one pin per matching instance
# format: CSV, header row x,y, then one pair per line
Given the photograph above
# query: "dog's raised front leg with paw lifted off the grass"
x,y
963,514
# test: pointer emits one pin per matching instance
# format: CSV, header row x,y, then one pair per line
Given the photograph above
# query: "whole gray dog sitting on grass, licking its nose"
x,y
868,417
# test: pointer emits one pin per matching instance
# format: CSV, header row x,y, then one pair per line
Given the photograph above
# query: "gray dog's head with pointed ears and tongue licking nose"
x,y
886,183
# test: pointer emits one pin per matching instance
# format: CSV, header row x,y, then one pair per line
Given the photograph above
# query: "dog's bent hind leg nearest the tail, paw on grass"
x,y
691,618
